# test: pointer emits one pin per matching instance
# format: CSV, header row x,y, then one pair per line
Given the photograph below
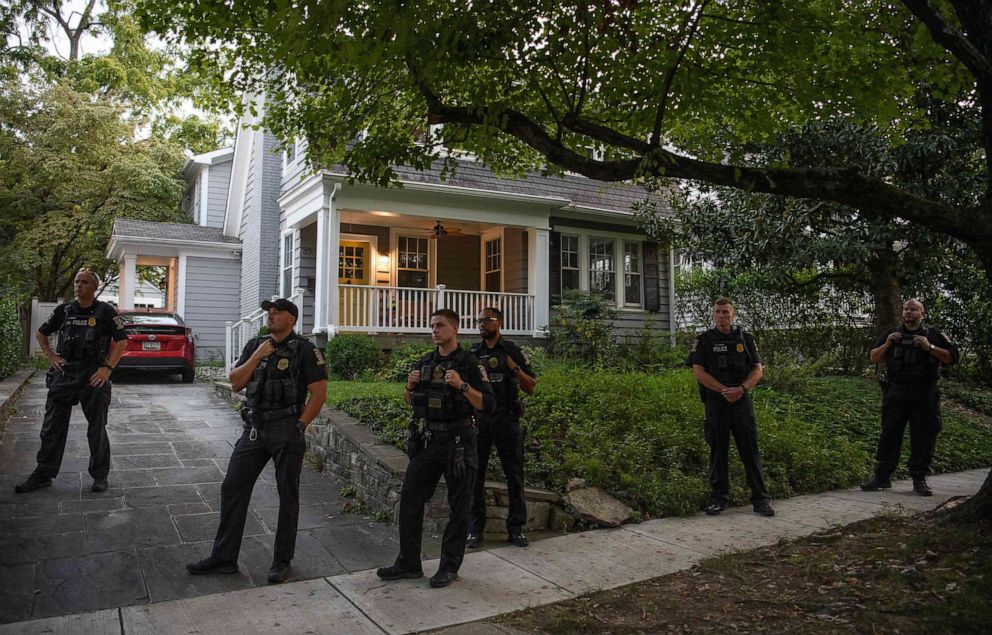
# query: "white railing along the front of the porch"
x,y
369,309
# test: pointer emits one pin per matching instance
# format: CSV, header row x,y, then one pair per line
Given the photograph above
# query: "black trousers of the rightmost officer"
x,y
920,406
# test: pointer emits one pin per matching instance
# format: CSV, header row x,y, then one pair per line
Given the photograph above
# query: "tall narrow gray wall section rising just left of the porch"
x,y
260,224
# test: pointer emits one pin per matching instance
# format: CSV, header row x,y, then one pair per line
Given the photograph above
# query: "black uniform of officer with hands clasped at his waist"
x,y
729,358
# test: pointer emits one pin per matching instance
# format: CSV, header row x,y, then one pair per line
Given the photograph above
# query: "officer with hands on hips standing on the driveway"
x,y
80,373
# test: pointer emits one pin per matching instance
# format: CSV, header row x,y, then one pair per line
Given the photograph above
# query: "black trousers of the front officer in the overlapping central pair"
x,y
419,483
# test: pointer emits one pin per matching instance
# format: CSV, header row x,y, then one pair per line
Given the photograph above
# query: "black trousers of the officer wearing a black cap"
x,y
285,445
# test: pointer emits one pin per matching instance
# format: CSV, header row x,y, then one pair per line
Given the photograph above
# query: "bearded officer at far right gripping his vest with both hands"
x,y
913,353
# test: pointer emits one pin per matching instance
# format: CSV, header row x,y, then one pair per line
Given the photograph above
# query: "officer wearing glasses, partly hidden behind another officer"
x,y
509,372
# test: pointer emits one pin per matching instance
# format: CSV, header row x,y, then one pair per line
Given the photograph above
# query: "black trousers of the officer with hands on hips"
x,y
68,388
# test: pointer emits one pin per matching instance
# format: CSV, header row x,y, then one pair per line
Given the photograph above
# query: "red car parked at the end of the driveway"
x,y
158,341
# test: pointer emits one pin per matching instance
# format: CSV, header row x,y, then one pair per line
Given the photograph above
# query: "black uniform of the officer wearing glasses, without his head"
x,y
502,429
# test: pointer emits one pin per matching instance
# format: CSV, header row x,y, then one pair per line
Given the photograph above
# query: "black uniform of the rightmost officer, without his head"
x,y
910,394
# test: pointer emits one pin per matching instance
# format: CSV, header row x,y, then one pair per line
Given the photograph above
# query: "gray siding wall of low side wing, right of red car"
x,y
211,300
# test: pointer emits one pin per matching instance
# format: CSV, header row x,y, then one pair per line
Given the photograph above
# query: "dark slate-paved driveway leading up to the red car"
x,y
65,550
